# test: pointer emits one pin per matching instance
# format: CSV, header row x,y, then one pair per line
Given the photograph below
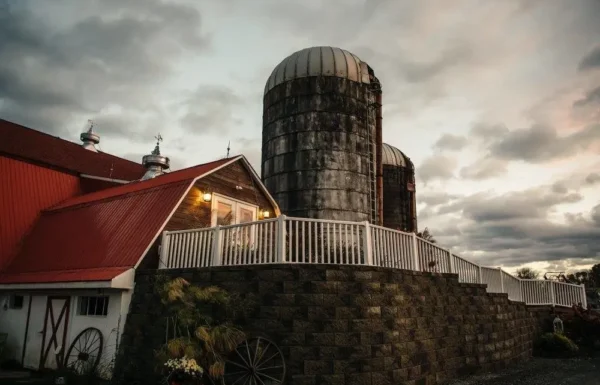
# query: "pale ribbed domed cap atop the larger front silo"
x,y
319,61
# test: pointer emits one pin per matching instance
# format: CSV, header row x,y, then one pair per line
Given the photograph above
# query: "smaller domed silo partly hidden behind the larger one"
x,y
399,197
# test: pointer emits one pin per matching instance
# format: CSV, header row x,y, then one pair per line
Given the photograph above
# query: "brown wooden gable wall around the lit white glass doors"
x,y
193,212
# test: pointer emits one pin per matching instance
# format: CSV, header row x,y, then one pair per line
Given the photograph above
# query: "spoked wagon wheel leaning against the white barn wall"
x,y
85,351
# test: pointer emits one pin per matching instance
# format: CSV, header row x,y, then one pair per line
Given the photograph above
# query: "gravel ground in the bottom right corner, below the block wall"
x,y
542,371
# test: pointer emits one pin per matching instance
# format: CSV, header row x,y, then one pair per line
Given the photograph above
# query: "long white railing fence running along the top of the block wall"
x,y
299,240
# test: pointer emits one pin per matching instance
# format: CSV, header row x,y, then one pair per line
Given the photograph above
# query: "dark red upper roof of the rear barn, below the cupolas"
x,y
37,147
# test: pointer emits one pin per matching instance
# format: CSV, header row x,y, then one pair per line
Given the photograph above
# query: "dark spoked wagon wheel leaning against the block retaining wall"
x,y
256,361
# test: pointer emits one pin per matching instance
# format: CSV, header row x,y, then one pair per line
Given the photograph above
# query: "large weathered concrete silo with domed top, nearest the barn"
x,y
319,135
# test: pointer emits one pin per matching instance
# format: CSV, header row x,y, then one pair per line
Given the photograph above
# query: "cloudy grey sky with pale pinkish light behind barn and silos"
x,y
496,102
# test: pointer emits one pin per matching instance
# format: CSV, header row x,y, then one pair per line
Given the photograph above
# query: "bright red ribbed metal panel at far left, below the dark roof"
x,y
25,190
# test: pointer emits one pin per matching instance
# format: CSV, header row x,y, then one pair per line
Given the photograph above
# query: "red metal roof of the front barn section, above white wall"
x,y
109,229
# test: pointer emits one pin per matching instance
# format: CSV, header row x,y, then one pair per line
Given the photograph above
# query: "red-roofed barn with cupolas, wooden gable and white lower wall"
x,y
76,223
